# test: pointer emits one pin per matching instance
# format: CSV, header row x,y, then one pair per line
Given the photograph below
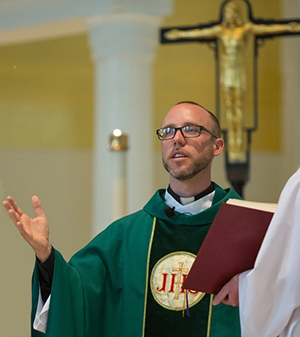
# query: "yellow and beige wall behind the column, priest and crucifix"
x,y
46,135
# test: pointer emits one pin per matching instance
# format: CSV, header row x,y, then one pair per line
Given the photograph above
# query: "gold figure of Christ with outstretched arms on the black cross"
x,y
233,35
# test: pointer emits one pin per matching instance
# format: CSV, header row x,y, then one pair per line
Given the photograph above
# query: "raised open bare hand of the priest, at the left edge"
x,y
35,231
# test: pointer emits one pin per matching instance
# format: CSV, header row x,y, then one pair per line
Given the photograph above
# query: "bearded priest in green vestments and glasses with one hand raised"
x,y
127,280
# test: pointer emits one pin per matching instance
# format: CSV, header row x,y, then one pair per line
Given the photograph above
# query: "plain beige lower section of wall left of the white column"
x,y
62,179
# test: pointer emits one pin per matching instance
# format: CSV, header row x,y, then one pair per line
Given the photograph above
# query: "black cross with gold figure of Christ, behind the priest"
x,y
230,38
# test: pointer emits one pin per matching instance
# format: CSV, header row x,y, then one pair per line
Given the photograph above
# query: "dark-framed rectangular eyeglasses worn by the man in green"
x,y
187,131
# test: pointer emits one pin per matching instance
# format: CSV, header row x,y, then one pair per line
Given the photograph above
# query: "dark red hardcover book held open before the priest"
x,y
231,245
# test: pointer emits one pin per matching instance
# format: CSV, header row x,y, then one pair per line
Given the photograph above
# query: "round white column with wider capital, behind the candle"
x,y
123,46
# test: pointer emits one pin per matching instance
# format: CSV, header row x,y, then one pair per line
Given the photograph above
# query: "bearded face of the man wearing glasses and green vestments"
x,y
183,157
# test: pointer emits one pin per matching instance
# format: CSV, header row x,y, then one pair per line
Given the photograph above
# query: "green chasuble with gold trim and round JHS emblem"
x,y
127,281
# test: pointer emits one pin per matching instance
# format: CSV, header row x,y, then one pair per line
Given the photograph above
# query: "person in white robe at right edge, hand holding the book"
x,y
269,295
